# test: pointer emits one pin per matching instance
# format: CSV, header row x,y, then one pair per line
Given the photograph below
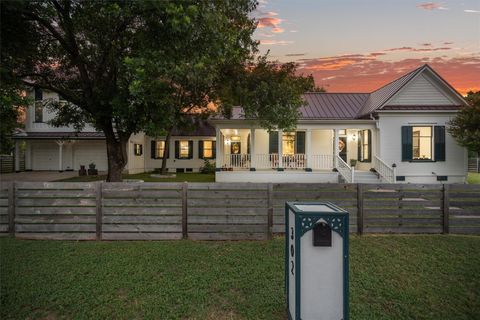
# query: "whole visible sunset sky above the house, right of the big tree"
x,y
357,46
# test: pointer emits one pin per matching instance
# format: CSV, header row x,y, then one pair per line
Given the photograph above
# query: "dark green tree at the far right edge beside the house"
x,y
465,127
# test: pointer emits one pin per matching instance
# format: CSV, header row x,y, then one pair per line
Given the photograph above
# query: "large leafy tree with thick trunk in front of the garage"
x,y
131,66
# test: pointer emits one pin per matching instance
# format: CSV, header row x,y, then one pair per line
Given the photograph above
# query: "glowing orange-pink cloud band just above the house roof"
x,y
365,73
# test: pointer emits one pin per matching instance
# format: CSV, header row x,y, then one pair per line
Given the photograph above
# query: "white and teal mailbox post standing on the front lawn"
x,y
316,261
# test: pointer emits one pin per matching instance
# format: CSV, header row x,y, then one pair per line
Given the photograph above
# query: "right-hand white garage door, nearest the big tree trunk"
x,y
88,152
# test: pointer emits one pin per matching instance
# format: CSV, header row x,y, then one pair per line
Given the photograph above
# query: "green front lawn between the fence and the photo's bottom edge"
x,y
392,277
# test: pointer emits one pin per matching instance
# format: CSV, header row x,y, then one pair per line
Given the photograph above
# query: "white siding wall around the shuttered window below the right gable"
x,y
454,166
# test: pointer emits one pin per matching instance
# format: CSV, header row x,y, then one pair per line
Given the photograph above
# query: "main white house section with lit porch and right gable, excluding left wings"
x,y
396,134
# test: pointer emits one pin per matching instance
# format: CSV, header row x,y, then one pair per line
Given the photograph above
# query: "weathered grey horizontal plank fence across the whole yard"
x,y
225,211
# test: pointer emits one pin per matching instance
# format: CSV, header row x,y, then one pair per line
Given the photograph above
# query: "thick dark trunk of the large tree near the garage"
x,y
117,154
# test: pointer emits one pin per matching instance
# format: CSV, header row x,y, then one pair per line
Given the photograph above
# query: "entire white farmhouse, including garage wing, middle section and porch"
x,y
396,134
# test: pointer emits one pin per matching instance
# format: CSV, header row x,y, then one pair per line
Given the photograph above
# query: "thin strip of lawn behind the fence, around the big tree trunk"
x,y
180,177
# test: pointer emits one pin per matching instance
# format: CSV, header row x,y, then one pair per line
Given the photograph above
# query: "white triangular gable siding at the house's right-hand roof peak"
x,y
423,90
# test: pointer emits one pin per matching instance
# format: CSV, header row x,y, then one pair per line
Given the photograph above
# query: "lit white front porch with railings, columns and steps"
x,y
317,154
